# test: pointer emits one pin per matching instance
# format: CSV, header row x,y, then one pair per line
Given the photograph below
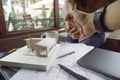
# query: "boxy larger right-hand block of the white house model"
x,y
45,46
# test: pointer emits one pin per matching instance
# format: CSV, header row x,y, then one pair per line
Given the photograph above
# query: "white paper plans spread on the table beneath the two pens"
x,y
55,72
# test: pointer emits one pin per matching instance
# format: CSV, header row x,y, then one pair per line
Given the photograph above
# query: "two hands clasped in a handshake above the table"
x,y
79,25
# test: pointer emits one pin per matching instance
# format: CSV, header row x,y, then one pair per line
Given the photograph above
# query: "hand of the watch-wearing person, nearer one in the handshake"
x,y
83,22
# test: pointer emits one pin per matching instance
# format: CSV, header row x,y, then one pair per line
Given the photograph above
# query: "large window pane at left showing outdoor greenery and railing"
x,y
28,14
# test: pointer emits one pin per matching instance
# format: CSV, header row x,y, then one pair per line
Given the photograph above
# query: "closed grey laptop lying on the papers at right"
x,y
102,61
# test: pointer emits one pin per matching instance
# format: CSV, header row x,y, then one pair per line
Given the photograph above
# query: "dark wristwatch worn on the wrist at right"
x,y
98,20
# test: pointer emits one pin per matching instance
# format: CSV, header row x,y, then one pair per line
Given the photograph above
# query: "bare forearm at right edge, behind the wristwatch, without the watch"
x,y
112,16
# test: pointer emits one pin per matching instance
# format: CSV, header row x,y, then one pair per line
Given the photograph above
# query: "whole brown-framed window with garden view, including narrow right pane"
x,y
20,16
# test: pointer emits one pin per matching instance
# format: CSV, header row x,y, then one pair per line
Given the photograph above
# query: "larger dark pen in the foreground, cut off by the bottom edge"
x,y
77,76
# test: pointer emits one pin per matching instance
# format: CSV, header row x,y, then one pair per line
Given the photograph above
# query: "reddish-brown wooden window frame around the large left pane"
x,y
5,34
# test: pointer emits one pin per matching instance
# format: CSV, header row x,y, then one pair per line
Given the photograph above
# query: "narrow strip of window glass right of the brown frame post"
x,y
62,23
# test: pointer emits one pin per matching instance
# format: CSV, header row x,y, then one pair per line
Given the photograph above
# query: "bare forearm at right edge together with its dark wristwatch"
x,y
107,18
